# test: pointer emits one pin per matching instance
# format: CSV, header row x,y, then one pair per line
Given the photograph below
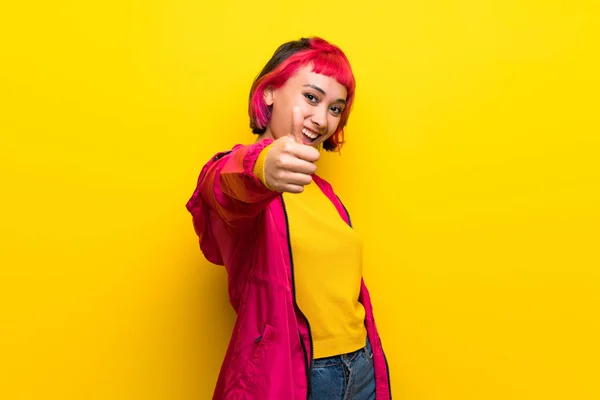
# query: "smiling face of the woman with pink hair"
x,y
320,98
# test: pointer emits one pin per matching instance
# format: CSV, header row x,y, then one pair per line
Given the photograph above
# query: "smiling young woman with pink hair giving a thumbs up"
x,y
305,326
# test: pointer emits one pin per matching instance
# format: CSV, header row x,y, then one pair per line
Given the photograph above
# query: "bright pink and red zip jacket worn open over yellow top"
x,y
243,225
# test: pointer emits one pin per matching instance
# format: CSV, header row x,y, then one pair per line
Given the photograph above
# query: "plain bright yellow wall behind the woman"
x,y
471,171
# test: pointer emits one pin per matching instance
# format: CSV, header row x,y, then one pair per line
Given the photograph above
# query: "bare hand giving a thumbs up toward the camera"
x,y
290,163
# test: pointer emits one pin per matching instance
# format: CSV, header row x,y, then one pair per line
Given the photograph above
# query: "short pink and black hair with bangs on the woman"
x,y
325,58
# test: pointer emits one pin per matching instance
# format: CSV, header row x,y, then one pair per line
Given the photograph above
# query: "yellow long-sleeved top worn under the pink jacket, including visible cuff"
x,y
327,256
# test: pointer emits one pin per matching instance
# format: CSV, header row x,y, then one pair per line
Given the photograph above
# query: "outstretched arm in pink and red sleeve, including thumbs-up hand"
x,y
229,185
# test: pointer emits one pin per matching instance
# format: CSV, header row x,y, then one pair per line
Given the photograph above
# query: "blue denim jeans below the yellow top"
x,y
344,377
